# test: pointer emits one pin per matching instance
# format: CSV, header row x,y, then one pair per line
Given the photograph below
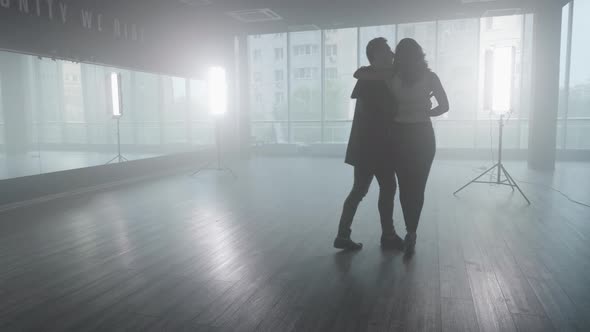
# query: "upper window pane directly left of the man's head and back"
x,y
340,63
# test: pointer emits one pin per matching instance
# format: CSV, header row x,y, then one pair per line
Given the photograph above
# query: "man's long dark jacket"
x,y
370,142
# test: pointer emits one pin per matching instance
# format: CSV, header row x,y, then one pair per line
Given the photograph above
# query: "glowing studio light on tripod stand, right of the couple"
x,y
498,88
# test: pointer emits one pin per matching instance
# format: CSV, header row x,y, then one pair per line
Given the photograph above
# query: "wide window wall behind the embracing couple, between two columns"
x,y
315,105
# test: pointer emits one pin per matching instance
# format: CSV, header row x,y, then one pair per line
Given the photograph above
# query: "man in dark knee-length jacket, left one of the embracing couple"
x,y
370,151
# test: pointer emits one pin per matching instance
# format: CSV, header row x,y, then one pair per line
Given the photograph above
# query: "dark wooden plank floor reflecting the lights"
x,y
210,253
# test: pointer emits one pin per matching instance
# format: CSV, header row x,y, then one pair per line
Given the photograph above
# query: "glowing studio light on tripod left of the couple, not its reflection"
x,y
217,108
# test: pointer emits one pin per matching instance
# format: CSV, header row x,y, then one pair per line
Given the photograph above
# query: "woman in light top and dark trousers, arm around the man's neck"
x,y
413,84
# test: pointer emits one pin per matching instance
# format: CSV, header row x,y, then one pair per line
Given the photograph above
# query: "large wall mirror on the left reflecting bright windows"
x,y
54,115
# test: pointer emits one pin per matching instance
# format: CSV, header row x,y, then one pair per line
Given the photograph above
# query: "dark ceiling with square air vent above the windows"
x,y
211,16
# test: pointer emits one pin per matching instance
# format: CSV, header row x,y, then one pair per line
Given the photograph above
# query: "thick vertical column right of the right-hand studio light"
x,y
543,117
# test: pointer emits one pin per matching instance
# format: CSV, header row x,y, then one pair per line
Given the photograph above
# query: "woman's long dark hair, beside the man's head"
x,y
410,61
